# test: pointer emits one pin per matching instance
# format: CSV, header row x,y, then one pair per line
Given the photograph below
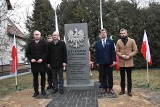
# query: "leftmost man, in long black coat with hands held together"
x,y
37,54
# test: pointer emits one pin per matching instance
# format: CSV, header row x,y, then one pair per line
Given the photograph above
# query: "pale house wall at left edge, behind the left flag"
x,y
7,41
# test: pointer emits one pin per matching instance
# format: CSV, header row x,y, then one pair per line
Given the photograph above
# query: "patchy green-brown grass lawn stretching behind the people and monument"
x,y
139,79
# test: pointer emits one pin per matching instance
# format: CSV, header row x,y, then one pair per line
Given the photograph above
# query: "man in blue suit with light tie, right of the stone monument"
x,y
105,60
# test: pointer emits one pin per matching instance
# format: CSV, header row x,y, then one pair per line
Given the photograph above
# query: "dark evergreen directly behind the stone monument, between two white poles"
x,y
80,11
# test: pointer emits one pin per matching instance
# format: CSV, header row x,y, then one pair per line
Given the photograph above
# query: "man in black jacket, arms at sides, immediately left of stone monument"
x,y
57,59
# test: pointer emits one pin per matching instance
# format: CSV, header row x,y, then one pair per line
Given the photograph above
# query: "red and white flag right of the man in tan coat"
x,y
145,50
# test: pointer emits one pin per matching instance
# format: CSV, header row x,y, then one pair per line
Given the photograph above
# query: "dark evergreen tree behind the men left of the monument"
x,y
42,18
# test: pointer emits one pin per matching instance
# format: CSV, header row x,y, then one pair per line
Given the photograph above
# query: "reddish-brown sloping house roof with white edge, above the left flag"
x,y
12,29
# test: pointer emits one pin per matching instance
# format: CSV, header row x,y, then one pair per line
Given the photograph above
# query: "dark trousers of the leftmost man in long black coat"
x,y
36,83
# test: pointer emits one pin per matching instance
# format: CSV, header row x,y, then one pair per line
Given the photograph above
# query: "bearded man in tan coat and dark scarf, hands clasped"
x,y
126,48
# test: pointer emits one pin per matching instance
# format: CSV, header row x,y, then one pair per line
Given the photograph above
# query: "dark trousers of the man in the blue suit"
x,y
107,76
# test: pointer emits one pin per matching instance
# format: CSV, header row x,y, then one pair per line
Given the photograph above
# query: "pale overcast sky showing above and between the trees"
x,y
24,7
